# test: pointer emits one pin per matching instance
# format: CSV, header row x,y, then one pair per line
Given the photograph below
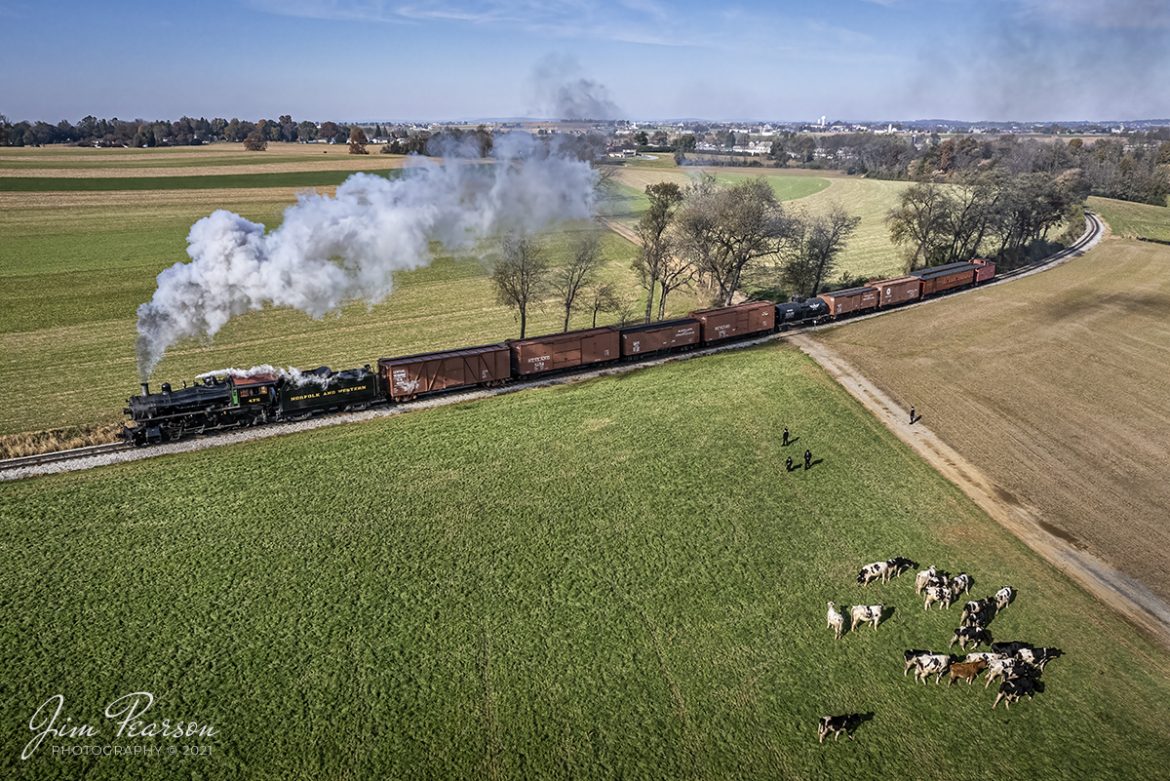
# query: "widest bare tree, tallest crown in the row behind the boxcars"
x,y
726,231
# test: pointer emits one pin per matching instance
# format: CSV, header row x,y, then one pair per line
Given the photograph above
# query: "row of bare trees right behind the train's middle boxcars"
x,y
707,237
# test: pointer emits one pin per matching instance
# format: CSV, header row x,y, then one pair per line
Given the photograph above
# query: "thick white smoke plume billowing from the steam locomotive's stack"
x,y
334,251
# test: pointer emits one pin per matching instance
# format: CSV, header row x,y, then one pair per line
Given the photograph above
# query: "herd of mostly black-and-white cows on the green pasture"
x,y
1016,665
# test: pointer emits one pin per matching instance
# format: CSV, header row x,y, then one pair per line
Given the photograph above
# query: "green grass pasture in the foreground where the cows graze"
x,y
611,579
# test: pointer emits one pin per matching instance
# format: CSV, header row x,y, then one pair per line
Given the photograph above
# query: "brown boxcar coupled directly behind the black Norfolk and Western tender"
x,y
412,376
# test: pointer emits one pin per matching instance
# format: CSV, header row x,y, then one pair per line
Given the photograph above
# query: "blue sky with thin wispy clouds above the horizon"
x,y
462,59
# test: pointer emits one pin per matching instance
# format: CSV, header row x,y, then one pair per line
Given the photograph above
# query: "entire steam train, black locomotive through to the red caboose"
x,y
228,399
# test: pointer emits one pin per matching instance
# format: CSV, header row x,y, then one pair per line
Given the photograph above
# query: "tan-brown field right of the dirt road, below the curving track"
x,y
1056,386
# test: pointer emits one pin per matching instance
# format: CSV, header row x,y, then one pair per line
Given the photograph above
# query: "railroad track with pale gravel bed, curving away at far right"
x,y
80,459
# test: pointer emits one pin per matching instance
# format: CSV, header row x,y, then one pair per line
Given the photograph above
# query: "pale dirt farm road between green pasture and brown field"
x,y
1124,595
